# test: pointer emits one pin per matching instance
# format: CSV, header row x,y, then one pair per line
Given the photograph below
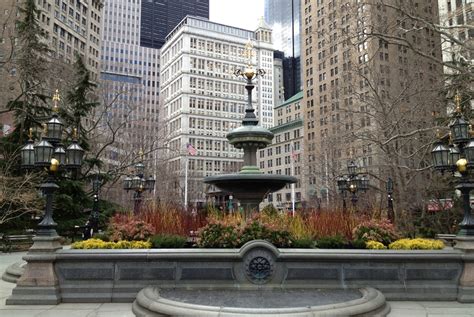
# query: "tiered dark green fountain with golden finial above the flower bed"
x,y
250,185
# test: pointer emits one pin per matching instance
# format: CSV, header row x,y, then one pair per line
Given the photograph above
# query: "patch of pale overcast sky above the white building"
x,y
240,13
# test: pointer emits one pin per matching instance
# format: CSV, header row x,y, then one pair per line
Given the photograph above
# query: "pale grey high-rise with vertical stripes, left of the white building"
x,y
129,87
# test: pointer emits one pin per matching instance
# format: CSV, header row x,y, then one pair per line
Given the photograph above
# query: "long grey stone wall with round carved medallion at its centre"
x,y
118,275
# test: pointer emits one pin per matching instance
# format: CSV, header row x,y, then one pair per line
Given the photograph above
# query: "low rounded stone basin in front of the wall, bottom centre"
x,y
153,301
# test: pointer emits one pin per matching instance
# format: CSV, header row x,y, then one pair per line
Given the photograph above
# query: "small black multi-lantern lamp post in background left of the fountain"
x,y
138,183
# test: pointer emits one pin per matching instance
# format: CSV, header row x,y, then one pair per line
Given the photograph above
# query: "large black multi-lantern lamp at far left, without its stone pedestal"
x,y
49,154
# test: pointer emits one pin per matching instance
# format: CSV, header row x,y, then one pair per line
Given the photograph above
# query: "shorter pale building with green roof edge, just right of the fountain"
x,y
285,155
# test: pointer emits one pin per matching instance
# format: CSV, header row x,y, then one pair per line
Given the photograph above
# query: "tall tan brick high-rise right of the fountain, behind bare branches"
x,y
362,91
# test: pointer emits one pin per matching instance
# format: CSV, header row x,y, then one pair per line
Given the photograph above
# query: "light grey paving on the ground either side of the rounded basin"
x,y
398,309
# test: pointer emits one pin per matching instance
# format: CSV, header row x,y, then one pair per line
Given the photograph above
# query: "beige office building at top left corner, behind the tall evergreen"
x,y
70,27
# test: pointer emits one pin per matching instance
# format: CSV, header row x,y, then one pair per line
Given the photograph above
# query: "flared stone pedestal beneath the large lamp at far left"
x,y
39,276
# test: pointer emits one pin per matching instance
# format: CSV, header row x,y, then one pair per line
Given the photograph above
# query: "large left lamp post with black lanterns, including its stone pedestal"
x,y
39,276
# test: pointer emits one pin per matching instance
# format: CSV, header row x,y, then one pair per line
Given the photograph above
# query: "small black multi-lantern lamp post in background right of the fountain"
x,y
352,182
